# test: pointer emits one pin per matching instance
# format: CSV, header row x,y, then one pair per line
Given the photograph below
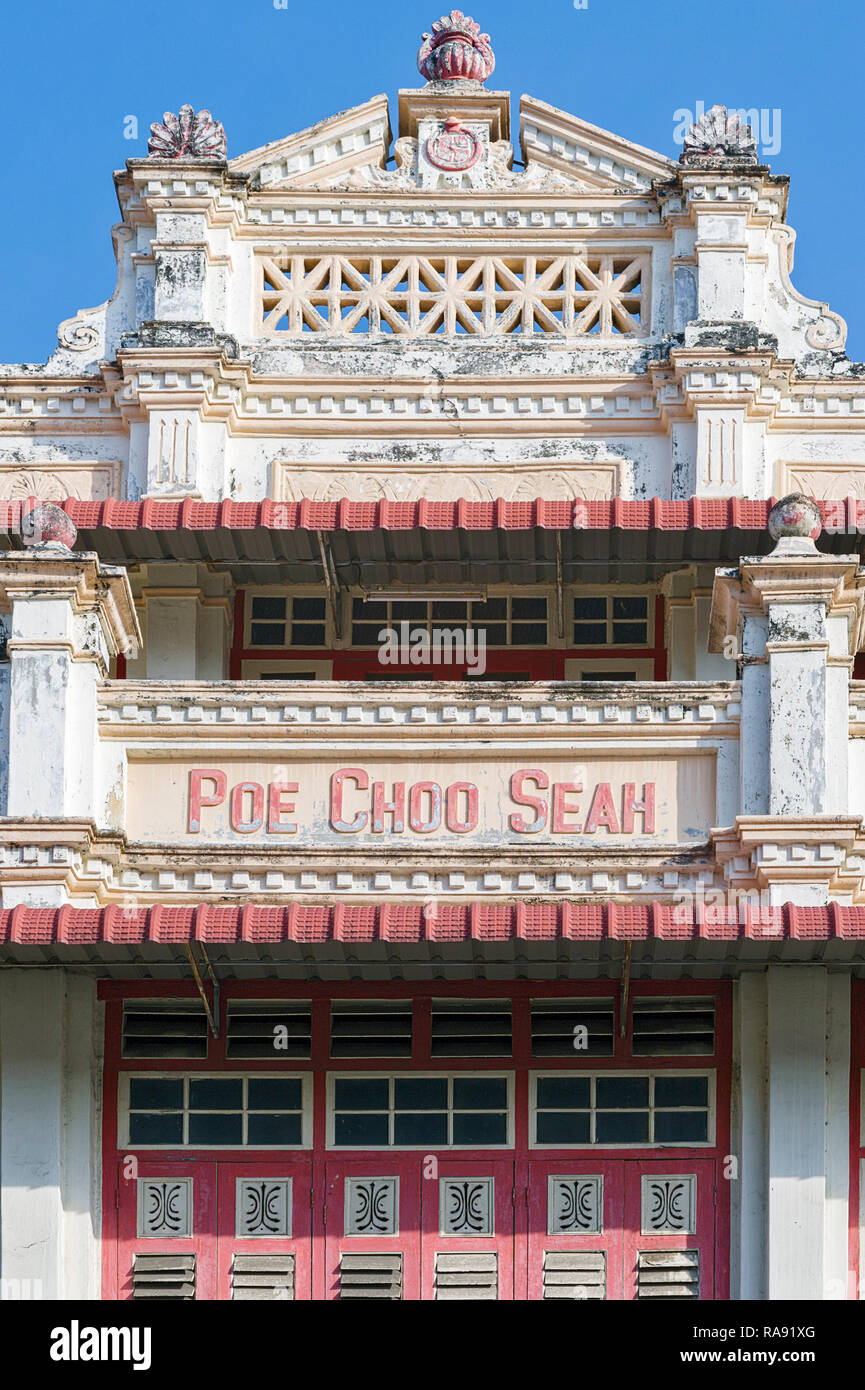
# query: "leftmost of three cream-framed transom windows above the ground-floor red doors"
x,y
226,1111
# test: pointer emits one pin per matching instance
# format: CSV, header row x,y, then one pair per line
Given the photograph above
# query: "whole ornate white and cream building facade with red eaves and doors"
x,y
433,860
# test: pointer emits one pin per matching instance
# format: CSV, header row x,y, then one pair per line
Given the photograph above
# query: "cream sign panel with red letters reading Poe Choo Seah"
x,y
480,800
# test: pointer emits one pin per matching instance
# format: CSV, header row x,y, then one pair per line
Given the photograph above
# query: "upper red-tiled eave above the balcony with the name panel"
x,y
383,543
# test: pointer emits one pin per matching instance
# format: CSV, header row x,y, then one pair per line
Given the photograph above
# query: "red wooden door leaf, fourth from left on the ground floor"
x,y
468,1229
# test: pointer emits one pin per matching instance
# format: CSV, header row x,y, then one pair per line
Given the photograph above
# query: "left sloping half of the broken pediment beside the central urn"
x,y
325,154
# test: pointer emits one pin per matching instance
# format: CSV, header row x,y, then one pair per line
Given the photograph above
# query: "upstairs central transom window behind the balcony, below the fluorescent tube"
x,y
508,621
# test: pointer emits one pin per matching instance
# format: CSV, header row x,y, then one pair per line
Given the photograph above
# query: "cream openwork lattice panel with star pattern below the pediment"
x,y
487,295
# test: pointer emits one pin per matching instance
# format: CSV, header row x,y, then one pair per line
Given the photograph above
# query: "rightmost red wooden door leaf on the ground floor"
x,y
670,1229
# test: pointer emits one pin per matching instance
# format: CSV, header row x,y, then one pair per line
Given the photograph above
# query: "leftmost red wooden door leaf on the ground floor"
x,y
168,1224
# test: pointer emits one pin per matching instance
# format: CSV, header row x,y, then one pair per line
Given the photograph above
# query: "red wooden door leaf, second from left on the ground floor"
x,y
265,1224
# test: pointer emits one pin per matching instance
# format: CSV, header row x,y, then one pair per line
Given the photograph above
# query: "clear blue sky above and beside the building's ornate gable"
x,y
72,76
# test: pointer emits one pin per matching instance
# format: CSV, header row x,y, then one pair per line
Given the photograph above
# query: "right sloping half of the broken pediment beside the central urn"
x,y
578,151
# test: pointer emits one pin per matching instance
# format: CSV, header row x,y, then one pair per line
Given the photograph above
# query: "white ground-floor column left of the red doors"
x,y
51,1082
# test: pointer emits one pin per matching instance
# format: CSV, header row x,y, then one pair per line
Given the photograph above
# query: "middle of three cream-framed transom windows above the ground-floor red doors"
x,y
421,1111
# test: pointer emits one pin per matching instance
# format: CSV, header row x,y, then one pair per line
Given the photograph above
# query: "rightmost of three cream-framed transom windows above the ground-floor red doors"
x,y
608,1109
